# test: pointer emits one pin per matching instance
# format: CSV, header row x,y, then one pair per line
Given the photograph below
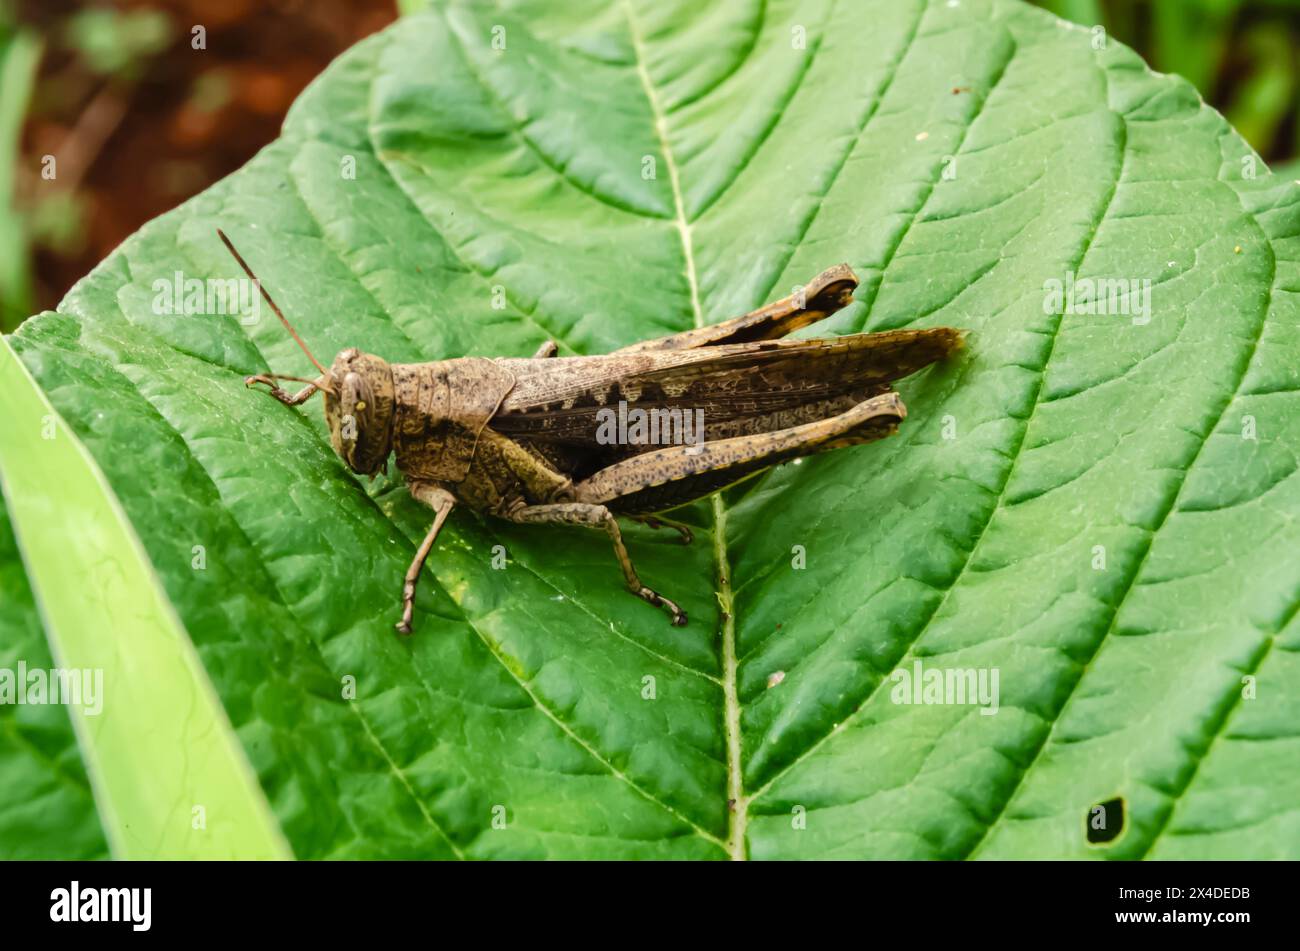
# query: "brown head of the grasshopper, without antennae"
x,y
359,412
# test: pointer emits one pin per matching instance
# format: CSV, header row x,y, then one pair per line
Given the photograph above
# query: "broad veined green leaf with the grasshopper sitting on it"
x,y
1102,510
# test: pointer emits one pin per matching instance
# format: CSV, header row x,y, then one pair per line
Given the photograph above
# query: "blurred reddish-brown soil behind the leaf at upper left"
x,y
137,145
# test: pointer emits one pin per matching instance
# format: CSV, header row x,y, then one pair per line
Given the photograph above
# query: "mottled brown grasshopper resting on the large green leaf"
x,y
521,438
